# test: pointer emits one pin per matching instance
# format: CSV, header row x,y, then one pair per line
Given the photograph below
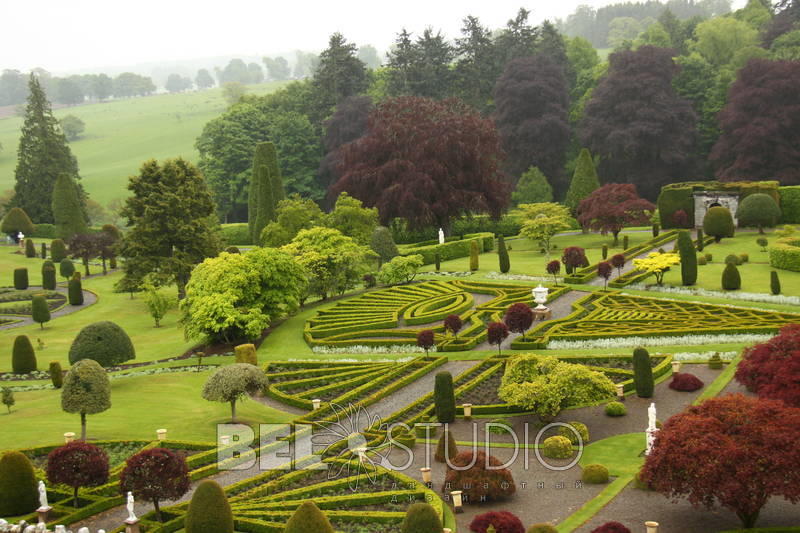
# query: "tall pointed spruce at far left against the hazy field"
x,y
43,155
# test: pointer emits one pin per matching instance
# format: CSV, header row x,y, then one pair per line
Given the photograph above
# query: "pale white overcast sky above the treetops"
x,y
61,35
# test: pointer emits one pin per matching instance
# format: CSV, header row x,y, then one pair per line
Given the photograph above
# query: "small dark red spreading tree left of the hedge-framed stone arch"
x,y
612,207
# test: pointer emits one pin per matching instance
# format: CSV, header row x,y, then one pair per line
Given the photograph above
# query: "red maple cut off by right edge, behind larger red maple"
x,y
772,369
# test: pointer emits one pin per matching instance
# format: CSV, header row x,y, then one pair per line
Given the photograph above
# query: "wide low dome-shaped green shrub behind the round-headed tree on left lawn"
x,y
104,342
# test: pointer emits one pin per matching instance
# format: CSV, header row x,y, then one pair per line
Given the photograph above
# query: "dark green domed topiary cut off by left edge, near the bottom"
x,y
19,492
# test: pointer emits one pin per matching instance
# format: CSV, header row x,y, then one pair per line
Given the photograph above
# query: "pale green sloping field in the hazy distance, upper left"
x,y
120,135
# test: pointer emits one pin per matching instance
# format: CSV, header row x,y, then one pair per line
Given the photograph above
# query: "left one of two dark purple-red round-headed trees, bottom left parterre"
x,y
77,464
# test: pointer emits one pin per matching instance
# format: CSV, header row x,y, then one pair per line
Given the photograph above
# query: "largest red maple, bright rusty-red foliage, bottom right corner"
x,y
732,451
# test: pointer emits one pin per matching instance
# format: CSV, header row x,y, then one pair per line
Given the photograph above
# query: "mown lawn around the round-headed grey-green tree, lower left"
x,y
140,405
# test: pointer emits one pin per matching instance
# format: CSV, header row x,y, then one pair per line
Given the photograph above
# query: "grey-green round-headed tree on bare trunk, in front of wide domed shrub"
x,y
86,391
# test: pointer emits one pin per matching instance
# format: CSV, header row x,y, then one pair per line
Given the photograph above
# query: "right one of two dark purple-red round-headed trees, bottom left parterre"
x,y
155,475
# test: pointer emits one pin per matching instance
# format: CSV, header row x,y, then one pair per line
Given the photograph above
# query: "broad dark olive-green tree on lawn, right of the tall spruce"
x,y
170,219
